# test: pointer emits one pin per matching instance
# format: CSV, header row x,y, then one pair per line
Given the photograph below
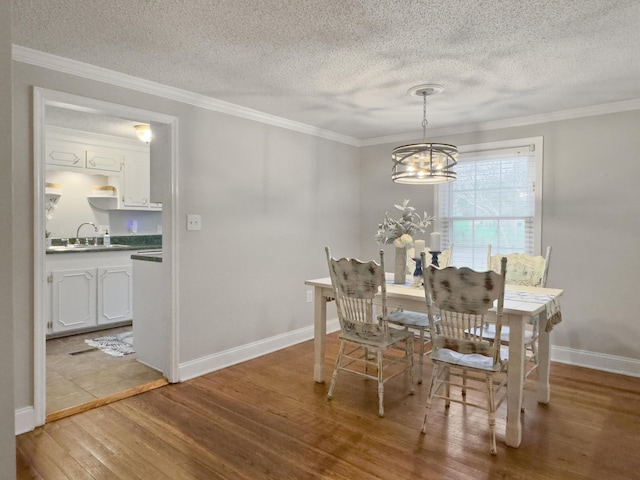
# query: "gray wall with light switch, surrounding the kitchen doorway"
x,y
270,200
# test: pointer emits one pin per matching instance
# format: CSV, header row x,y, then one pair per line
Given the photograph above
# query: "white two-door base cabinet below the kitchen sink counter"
x,y
88,291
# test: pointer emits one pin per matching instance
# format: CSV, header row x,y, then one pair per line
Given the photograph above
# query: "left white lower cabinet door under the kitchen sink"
x,y
73,299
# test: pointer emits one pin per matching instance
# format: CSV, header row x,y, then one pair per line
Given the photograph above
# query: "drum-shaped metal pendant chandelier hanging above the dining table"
x,y
424,163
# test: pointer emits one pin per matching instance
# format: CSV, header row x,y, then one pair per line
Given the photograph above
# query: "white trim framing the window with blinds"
x,y
537,144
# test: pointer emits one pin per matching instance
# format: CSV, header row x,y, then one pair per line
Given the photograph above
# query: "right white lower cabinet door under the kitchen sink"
x,y
115,298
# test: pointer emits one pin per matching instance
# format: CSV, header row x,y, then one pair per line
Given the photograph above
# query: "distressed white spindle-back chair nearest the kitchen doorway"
x,y
366,342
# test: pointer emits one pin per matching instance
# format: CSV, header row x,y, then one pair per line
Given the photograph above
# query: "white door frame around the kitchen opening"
x,y
41,98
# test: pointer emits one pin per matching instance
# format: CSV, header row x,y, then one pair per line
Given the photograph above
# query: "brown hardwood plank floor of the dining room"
x,y
267,419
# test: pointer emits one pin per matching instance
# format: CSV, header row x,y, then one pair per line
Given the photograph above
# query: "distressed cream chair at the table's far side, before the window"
x,y
527,270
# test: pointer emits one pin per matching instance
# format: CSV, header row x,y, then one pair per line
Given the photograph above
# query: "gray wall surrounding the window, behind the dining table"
x,y
589,217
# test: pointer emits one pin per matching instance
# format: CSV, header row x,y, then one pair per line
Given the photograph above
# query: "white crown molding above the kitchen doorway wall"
x,y
92,72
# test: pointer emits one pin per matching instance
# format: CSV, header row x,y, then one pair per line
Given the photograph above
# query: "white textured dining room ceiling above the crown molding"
x,y
346,66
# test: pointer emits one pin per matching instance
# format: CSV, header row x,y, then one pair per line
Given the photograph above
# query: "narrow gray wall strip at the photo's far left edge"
x,y
7,417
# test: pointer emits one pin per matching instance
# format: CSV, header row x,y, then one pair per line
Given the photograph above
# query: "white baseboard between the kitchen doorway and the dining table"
x,y
233,356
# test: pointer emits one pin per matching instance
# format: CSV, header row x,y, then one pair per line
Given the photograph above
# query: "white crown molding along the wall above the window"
x,y
590,111
